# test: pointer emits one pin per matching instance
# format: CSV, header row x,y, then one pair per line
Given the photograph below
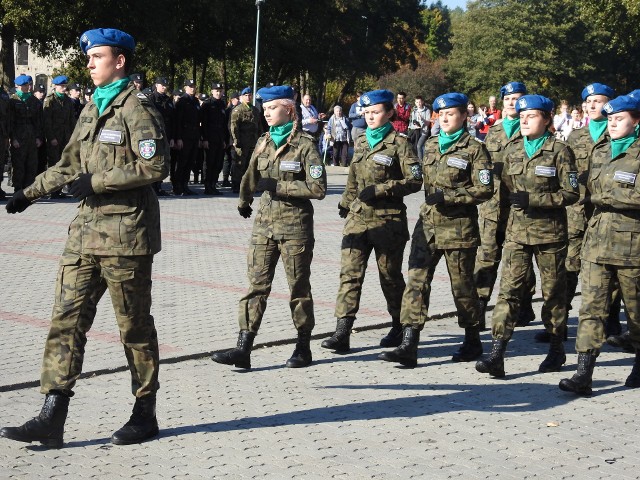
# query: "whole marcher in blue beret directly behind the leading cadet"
x,y
287,168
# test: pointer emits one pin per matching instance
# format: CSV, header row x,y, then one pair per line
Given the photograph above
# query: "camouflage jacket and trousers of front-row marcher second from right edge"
x,y
550,178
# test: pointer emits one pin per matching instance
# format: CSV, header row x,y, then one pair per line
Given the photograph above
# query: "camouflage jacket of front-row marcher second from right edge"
x,y
551,180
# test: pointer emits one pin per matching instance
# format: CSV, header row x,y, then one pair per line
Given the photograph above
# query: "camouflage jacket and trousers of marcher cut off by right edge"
x,y
611,248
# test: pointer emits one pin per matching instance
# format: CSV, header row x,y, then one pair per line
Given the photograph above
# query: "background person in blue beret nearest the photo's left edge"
x,y
25,132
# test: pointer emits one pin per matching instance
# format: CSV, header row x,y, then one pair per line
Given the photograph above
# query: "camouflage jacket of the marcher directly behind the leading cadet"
x,y
287,213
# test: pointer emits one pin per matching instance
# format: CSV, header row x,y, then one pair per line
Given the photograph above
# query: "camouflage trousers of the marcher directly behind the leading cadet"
x,y
262,259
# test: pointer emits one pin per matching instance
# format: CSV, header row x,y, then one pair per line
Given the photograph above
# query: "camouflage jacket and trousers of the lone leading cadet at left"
x,y
111,241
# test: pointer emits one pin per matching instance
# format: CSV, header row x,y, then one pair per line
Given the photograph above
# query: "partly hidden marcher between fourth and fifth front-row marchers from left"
x,y
493,214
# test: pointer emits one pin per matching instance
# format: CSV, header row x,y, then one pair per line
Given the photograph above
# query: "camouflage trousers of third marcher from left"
x,y
356,249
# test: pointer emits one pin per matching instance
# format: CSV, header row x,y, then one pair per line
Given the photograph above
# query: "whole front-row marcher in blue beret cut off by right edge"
x,y
611,246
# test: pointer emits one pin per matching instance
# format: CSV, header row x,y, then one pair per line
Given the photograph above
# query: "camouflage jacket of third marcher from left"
x,y
394,169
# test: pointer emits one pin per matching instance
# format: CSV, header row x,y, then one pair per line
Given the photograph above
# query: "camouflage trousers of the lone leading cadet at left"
x,y
82,280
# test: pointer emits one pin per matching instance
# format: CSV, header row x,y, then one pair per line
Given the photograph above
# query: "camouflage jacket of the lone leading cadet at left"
x,y
126,151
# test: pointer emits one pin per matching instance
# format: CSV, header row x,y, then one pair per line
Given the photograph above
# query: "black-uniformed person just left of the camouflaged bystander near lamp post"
x,y
215,135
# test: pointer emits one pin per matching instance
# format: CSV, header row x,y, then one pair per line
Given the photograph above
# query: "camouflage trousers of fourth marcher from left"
x,y
423,260
